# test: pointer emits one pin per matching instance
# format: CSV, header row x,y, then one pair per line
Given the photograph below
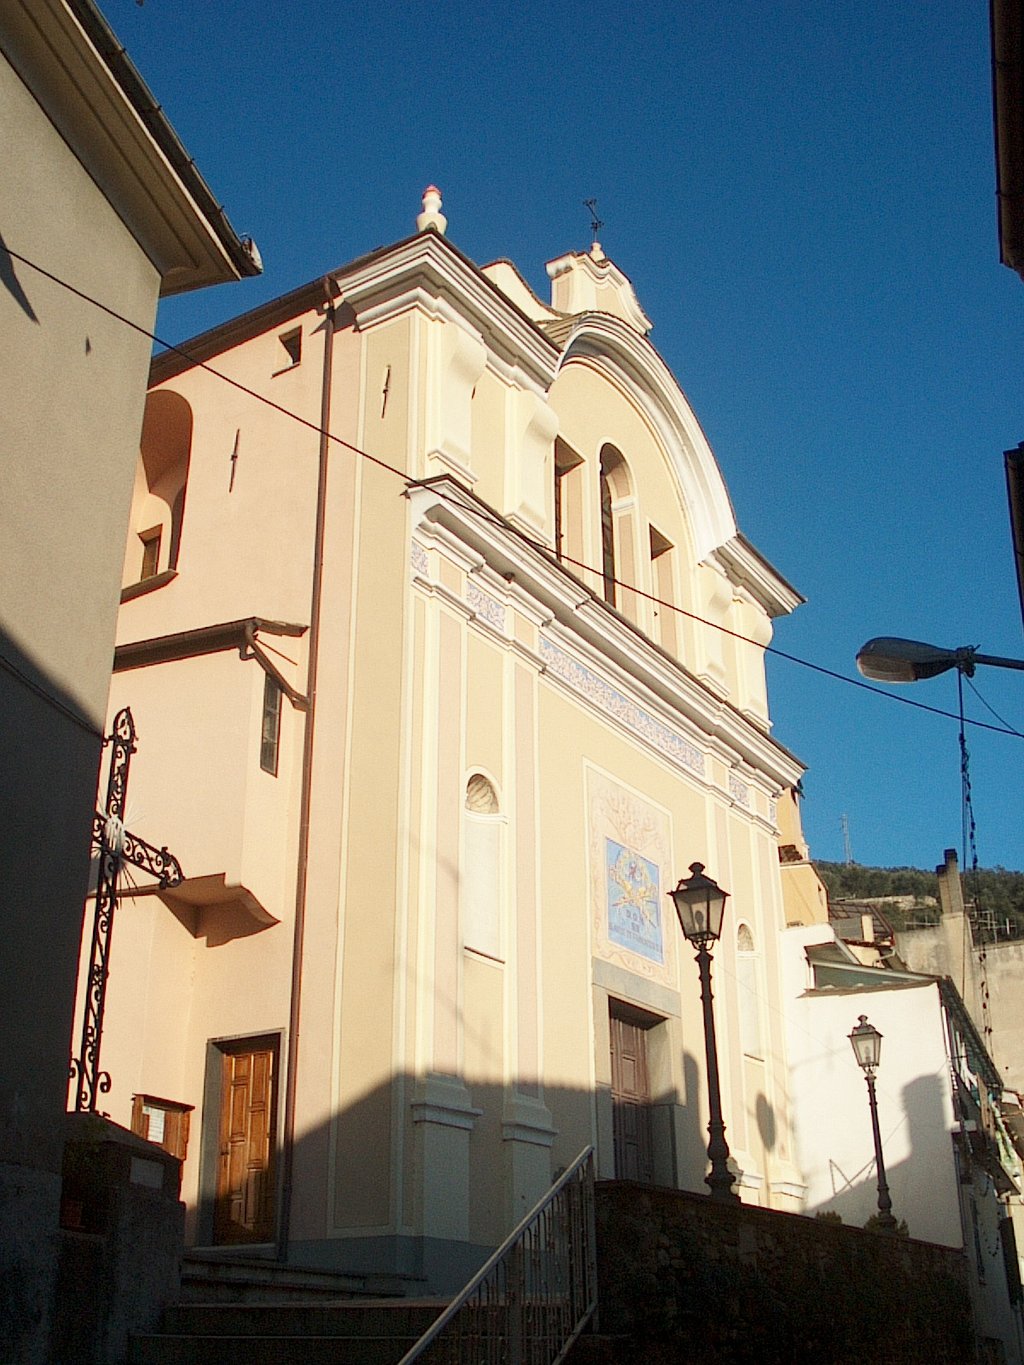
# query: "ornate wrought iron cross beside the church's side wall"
x,y
117,848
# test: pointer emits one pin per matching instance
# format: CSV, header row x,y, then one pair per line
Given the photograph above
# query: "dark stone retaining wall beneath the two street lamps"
x,y
720,1282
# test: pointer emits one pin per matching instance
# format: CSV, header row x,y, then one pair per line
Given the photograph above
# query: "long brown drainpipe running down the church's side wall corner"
x,y
305,799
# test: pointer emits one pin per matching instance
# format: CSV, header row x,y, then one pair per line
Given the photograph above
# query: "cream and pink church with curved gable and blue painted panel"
x,y
431,715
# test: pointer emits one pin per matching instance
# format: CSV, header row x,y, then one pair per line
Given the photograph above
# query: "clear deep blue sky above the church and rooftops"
x,y
803,197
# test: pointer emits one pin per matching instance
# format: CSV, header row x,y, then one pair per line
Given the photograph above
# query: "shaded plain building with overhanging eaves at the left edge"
x,y
104,214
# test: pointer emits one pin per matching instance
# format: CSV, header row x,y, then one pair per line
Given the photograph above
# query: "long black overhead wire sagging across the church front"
x,y
492,518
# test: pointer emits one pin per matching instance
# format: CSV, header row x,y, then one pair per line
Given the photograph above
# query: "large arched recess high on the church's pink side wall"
x,y
160,487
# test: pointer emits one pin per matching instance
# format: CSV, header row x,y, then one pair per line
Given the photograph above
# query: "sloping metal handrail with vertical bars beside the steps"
x,y
533,1297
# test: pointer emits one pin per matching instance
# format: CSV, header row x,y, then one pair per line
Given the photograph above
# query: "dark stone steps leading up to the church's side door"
x,y
236,1312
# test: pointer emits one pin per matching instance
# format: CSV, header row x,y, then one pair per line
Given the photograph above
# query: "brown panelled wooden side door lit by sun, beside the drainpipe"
x,y
245,1202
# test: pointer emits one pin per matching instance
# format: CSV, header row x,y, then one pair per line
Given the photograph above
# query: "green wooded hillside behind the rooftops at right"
x,y
1000,895
